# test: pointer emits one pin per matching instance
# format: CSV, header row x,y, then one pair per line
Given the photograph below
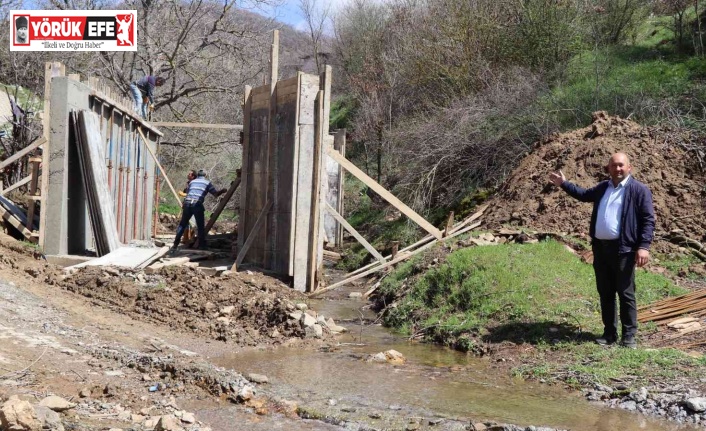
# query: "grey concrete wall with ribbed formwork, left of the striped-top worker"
x,y
68,228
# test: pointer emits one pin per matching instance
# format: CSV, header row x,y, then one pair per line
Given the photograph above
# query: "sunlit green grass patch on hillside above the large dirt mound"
x,y
623,80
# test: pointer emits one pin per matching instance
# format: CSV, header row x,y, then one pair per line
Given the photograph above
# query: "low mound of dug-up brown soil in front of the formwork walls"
x,y
248,309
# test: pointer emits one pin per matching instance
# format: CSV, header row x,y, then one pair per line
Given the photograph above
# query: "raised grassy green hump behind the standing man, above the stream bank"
x,y
513,292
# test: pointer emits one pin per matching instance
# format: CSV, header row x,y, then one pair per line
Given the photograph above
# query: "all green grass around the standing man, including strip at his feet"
x,y
536,293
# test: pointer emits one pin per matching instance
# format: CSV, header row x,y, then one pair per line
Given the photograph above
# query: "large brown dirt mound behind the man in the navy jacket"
x,y
528,199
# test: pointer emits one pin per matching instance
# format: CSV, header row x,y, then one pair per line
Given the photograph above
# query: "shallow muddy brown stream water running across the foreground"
x,y
437,388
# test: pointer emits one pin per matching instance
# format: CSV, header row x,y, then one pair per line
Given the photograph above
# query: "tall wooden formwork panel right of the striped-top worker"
x,y
279,168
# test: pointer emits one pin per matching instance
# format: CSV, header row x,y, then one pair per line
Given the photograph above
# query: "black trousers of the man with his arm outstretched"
x,y
615,273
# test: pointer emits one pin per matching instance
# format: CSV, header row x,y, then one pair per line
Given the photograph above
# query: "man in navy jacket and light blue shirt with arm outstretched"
x,y
622,229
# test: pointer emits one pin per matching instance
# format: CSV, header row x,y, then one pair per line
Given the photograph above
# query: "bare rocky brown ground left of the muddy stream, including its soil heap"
x,y
115,350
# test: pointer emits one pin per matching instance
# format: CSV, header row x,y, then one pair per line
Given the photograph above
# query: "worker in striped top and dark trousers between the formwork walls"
x,y
196,192
